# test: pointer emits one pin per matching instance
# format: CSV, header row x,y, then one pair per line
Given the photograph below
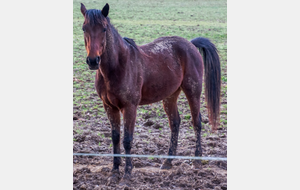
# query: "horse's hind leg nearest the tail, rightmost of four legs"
x,y
192,88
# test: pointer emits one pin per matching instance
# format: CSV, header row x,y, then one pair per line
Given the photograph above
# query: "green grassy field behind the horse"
x,y
145,21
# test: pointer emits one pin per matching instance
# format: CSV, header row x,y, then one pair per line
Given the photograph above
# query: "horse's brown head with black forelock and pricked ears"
x,y
94,28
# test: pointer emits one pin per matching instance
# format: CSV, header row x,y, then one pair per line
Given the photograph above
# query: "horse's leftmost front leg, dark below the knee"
x,y
113,115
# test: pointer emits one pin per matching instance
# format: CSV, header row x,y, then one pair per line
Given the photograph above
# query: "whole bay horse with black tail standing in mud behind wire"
x,y
128,75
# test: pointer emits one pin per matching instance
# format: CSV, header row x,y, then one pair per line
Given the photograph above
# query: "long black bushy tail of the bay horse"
x,y
212,78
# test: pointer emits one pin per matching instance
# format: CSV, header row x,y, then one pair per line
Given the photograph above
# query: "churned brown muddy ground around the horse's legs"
x,y
92,134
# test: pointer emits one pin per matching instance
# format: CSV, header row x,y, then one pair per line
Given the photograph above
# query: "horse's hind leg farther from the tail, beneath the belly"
x,y
170,106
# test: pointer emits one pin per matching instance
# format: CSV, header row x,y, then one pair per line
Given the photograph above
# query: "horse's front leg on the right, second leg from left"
x,y
129,114
